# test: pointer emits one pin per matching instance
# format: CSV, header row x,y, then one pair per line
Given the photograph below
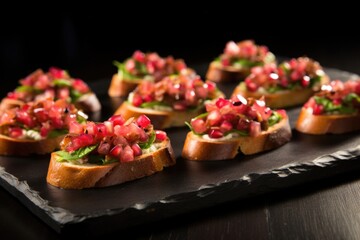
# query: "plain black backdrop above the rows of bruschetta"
x,y
85,40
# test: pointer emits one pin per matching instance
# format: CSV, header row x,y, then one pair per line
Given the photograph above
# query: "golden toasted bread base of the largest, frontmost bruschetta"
x,y
71,176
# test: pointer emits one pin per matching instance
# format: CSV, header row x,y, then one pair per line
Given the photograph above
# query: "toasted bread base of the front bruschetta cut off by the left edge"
x,y
25,147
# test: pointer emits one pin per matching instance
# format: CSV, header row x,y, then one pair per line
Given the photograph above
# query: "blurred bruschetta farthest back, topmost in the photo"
x,y
234,64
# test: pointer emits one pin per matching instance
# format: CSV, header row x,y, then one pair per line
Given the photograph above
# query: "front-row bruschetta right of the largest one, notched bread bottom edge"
x,y
237,125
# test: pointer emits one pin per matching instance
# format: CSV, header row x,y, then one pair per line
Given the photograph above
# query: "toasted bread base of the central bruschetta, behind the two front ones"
x,y
160,119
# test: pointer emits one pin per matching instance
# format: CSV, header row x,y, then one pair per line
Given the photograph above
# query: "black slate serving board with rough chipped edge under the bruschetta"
x,y
182,188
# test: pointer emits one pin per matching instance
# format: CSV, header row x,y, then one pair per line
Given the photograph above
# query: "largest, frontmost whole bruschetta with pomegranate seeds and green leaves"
x,y
109,153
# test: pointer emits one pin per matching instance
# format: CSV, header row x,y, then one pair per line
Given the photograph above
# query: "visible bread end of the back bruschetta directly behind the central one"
x,y
120,87
